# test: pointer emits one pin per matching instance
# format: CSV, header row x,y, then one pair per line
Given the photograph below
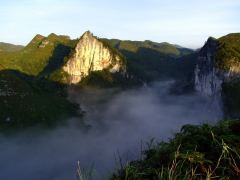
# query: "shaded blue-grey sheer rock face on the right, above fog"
x,y
209,78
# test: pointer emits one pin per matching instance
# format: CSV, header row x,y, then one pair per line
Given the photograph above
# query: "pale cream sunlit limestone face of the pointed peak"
x,y
91,54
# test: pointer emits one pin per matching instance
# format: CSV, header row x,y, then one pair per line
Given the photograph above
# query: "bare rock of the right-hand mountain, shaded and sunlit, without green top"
x,y
209,76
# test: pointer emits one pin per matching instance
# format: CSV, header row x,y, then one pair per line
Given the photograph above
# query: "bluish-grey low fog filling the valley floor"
x,y
117,124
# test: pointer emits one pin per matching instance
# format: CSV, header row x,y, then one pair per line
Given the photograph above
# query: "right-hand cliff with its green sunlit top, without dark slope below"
x,y
217,62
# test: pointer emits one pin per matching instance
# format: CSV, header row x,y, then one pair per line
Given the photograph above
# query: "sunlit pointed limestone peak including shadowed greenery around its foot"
x,y
92,62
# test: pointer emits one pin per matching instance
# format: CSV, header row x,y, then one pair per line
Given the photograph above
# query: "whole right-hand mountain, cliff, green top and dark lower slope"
x,y
217,71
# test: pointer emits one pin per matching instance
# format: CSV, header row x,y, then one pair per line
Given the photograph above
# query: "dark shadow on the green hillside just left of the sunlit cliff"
x,y
56,61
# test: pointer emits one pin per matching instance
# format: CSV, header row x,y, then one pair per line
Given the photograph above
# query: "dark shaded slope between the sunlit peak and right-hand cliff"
x,y
150,65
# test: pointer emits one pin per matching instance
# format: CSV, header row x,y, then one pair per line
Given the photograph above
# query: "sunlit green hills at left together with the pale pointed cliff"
x,y
64,60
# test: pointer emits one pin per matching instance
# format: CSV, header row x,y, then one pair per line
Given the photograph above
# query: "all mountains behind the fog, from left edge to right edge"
x,y
39,73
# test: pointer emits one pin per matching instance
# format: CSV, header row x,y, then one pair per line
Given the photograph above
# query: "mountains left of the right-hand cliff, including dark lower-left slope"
x,y
33,79
